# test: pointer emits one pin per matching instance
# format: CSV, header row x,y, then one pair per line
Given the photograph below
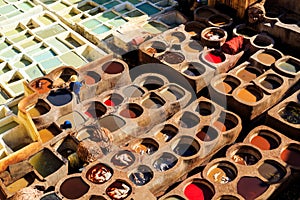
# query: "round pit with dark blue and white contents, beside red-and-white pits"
x,y
141,176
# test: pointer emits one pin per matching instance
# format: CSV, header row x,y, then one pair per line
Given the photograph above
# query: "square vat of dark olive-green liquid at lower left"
x,y
45,162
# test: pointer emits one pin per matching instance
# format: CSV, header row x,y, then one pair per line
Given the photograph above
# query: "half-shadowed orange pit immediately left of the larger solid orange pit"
x,y
227,85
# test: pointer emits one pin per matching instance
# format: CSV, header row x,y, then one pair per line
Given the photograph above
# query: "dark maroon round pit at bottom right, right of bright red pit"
x,y
251,187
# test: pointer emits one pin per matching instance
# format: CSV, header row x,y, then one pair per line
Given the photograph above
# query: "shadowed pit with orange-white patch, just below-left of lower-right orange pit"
x,y
246,155
